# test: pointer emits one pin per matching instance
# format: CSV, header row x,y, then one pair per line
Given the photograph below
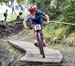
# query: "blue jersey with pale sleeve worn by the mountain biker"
x,y
37,19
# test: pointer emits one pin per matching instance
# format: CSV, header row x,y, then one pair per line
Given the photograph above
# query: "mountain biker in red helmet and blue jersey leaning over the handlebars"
x,y
36,16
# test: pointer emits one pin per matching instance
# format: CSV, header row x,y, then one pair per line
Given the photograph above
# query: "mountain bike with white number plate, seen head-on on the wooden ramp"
x,y
38,29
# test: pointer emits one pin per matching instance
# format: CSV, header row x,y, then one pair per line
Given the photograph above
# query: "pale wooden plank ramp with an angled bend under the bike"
x,y
33,55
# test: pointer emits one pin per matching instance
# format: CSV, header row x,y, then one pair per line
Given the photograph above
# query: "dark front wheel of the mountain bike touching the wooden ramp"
x,y
40,41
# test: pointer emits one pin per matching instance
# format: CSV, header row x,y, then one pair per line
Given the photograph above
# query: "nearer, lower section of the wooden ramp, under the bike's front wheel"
x,y
51,56
